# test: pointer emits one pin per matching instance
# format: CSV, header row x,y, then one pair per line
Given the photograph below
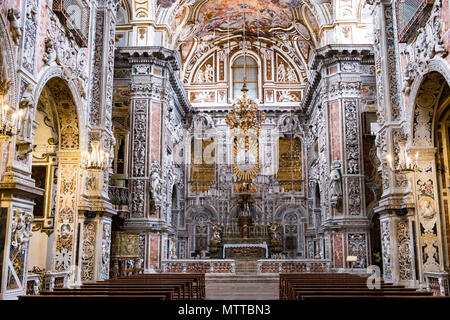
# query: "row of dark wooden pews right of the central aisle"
x,y
341,286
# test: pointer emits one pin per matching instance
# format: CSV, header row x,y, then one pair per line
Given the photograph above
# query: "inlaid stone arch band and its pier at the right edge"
x,y
430,212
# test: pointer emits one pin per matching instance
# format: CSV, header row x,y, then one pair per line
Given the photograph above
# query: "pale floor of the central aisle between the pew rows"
x,y
242,287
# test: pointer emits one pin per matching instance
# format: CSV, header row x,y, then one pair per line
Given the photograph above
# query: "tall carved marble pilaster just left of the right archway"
x,y
396,204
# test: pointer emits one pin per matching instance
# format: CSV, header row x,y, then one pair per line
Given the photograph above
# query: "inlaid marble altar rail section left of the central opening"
x,y
199,266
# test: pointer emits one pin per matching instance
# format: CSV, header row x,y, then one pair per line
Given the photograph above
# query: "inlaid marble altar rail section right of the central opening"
x,y
293,265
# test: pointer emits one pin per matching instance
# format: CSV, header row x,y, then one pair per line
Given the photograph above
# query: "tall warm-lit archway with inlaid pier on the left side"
x,y
55,167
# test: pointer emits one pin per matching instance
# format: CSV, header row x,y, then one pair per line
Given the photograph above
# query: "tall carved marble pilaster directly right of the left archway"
x,y
95,210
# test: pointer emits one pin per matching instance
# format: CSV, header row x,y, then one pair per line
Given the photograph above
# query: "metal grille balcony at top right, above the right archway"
x,y
409,15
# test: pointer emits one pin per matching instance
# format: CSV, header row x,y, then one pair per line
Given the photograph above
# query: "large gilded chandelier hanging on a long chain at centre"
x,y
244,114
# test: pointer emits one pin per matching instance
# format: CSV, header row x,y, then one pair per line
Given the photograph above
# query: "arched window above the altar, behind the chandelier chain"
x,y
251,69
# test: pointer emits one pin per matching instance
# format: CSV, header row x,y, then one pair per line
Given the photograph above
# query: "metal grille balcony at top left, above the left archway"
x,y
74,15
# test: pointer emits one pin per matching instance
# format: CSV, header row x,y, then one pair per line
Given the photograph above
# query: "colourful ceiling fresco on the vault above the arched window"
x,y
259,14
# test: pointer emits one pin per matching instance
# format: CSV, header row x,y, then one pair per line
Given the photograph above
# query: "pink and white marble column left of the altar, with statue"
x,y
157,102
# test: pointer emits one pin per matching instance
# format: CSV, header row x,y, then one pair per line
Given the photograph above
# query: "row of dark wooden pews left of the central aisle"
x,y
135,287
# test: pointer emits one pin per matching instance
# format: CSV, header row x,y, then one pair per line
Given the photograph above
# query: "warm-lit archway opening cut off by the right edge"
x,y
428,139
